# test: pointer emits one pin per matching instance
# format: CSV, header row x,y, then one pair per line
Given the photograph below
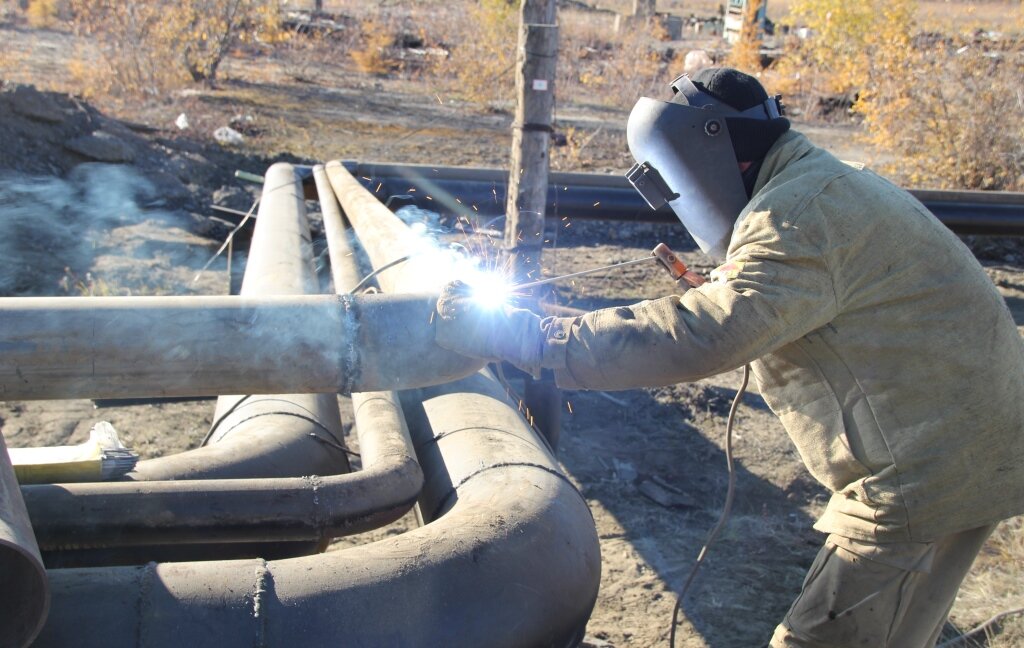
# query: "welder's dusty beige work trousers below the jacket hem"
x,y
879,596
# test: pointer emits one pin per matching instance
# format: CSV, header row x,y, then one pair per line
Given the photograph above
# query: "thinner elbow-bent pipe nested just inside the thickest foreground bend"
x,y
117,514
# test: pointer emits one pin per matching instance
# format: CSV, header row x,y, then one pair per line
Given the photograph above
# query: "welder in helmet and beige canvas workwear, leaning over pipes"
x,y
871,331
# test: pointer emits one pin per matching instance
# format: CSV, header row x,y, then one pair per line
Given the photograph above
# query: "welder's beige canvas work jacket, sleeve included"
x,y
872,332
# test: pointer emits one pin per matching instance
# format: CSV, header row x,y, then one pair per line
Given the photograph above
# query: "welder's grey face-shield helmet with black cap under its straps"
x,y
687,157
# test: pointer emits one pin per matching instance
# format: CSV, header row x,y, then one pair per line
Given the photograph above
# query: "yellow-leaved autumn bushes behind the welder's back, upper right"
x,y
948,108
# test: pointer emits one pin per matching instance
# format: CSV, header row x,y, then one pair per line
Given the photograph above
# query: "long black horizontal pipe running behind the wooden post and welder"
x,y
601,197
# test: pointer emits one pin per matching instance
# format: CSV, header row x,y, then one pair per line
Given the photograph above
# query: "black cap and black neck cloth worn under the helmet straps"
x,y
751,138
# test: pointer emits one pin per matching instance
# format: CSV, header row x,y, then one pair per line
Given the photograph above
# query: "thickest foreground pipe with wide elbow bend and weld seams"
x,y
510,557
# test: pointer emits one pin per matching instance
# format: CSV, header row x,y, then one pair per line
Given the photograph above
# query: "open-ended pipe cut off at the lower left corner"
x,y
25,596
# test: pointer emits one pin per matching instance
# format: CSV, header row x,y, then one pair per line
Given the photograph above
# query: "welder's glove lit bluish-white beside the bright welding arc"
x,y
465,326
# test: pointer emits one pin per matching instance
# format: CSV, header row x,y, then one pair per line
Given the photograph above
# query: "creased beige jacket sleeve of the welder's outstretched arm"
x,y
775,288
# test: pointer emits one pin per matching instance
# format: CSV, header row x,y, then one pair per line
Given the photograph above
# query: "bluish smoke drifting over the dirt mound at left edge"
x,y
50,225
